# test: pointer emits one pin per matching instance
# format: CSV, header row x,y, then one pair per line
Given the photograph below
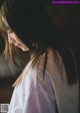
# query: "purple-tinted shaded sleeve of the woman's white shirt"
x,y
41,98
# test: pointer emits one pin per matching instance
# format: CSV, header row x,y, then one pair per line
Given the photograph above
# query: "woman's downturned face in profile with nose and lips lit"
x,y
13,38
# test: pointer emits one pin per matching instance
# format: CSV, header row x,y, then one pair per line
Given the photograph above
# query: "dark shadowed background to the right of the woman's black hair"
x,y
66,19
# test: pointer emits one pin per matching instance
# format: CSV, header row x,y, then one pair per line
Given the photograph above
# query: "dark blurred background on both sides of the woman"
x,y
66,19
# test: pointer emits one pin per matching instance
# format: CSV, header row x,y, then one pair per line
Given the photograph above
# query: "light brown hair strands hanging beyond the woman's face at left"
x,y
10,50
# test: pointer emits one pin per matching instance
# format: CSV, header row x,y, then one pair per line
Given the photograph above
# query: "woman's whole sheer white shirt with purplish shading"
x,y
33,95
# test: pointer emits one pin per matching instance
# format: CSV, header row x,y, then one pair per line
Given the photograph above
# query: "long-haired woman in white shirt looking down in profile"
x,y
49,82
